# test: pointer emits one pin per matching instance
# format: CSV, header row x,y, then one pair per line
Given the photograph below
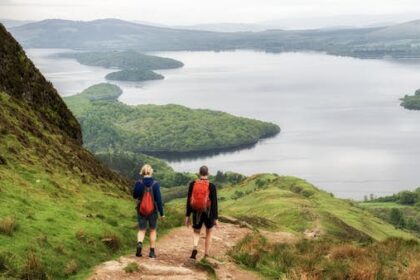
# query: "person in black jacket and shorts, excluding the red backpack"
x,y
208,218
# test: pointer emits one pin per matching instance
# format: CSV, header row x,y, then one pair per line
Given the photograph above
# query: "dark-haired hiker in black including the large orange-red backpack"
x,y
202,204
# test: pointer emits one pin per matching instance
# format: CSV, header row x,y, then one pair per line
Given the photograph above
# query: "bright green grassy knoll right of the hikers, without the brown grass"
x,y
294,205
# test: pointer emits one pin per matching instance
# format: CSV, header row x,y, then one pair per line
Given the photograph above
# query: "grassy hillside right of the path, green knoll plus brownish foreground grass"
x,y
336,239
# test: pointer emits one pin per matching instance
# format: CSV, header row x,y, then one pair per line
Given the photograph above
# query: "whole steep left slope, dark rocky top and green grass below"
x,y
62,211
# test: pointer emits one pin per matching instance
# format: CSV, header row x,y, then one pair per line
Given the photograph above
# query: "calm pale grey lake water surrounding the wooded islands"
x,y
342,126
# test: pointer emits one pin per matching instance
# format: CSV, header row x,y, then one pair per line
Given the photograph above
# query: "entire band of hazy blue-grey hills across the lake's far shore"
x,y
398,41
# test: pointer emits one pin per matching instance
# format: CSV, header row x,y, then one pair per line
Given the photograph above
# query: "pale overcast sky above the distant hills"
x,y
184,12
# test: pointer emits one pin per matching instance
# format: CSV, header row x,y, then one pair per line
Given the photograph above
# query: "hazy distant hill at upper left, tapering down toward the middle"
x,y
109,33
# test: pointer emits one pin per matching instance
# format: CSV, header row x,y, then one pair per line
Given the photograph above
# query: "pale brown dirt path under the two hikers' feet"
x,y
173,251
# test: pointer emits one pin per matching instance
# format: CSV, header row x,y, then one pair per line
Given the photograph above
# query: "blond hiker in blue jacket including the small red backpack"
x,y
149,203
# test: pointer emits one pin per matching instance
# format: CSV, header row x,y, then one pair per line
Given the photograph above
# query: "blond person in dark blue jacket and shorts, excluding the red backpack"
x,y
147,180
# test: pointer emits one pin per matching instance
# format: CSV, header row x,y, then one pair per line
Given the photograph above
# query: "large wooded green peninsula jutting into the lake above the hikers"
x,y
157,129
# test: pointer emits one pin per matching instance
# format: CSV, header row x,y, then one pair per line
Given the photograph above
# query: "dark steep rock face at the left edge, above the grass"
x,y
22,80
